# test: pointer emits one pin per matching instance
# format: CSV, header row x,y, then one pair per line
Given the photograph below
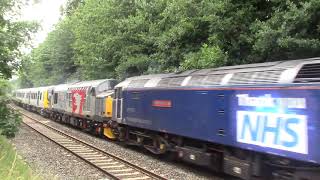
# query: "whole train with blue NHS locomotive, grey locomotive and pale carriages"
x,y
249,121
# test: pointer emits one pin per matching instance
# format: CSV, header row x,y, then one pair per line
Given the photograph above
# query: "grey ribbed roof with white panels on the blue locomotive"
x,y
293,71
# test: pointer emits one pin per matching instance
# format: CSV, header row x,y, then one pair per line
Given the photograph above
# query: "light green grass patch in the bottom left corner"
x,y
11,166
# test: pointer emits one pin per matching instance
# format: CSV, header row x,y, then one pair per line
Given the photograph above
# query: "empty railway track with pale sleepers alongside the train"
x,y
112,166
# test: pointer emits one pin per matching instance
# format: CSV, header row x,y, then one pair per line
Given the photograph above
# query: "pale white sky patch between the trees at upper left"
x,y
46,12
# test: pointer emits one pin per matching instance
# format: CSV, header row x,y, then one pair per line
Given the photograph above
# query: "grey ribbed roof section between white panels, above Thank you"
x,y
260,77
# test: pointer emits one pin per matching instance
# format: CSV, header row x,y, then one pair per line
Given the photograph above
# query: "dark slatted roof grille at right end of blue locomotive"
x,y
308,73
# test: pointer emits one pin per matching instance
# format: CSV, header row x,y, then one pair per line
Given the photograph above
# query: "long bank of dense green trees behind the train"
x,y
121,38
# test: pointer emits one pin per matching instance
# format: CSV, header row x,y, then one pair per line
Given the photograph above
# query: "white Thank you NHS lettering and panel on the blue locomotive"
x,y
273,129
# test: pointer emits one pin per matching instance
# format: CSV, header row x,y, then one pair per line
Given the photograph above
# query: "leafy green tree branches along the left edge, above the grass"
x,y
13,35
